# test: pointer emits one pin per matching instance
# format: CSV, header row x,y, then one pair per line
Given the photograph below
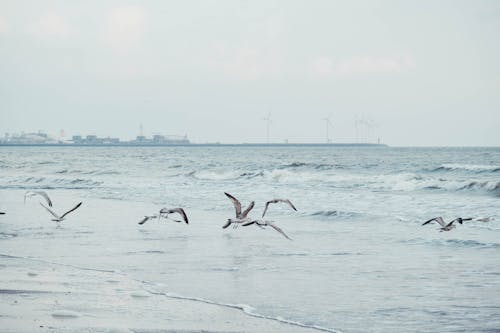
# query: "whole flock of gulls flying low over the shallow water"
x,y
241,217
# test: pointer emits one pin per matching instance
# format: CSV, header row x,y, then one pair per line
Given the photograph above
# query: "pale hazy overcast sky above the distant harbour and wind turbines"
x,y
407,73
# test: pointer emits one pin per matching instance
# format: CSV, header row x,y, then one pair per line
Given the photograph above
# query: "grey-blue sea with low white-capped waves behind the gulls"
x,y
359,259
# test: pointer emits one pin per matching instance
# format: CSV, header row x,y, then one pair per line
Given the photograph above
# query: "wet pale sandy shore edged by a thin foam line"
x,y
50,299
